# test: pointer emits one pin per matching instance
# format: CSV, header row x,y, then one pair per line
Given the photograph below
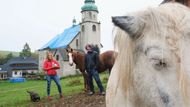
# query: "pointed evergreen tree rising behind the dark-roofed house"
x,y
26,51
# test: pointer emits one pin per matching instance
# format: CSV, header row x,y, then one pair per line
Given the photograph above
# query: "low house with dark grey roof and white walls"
x,y
20,67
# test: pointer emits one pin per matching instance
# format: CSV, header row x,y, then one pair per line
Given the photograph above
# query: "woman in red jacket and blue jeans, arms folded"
x,y
50,67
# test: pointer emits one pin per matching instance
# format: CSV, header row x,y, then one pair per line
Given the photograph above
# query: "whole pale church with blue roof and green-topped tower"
x,y
75,36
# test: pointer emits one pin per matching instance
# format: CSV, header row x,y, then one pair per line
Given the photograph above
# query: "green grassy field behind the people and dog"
x,y
15,95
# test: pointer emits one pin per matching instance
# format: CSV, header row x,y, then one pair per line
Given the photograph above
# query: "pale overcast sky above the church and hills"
x,y
38,21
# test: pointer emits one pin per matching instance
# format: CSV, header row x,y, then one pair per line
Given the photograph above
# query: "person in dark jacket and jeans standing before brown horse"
x,y
91,64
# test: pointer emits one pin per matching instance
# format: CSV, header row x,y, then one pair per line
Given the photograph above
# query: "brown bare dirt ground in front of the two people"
x,y
77,100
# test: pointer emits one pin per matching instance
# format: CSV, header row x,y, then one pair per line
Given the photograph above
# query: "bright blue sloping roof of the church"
x,y
64,39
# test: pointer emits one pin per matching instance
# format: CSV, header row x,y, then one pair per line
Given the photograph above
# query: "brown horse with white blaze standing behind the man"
x,y
106,59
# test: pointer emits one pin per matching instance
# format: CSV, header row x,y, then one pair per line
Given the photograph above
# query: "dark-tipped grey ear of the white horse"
x,y
132,25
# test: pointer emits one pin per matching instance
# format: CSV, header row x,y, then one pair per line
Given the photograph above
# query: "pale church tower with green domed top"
x,y
90,26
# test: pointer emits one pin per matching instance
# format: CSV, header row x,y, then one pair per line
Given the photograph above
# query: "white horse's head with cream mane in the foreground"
x,y
152,66
